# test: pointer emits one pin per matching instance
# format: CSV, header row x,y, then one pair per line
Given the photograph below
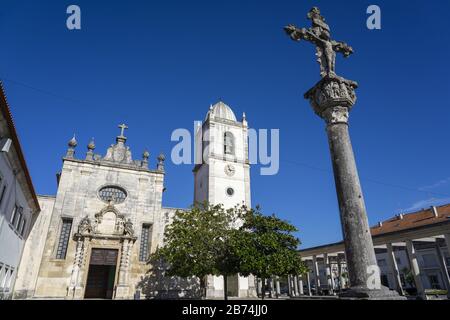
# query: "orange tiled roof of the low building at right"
x,y
411,220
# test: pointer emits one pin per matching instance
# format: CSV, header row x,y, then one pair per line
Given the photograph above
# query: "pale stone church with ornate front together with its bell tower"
x,y
93,239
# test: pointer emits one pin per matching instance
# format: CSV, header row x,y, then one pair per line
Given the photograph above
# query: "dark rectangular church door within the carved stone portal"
x,y
102,274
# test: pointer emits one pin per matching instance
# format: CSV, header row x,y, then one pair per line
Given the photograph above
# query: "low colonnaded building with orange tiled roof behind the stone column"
x,y
412,253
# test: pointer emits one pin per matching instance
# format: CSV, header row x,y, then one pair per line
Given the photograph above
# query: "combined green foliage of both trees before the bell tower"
x,y
209,240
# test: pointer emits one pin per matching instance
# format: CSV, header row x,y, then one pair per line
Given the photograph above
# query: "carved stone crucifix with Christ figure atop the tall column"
x,y
319,35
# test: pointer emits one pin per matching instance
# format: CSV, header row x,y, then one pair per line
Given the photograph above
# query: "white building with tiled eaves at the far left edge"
x,y
19,207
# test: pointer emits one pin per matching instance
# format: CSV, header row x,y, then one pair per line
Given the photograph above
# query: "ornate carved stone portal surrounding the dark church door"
x,y
104,273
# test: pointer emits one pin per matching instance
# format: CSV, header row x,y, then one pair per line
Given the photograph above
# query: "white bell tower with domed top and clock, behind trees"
x,y
222,176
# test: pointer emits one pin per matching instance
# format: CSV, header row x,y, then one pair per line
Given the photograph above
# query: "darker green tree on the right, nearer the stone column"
x,y
266,247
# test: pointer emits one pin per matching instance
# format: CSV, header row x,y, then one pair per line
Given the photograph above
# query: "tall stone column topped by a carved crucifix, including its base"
x,y
332,98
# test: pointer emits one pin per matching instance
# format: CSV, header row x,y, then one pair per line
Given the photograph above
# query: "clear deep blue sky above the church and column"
x,y
158,65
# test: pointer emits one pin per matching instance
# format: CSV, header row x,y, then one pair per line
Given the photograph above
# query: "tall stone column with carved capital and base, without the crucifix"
x,y
332,99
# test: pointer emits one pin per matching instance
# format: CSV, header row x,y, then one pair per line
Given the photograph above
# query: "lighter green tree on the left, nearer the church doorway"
x,y
197,244
